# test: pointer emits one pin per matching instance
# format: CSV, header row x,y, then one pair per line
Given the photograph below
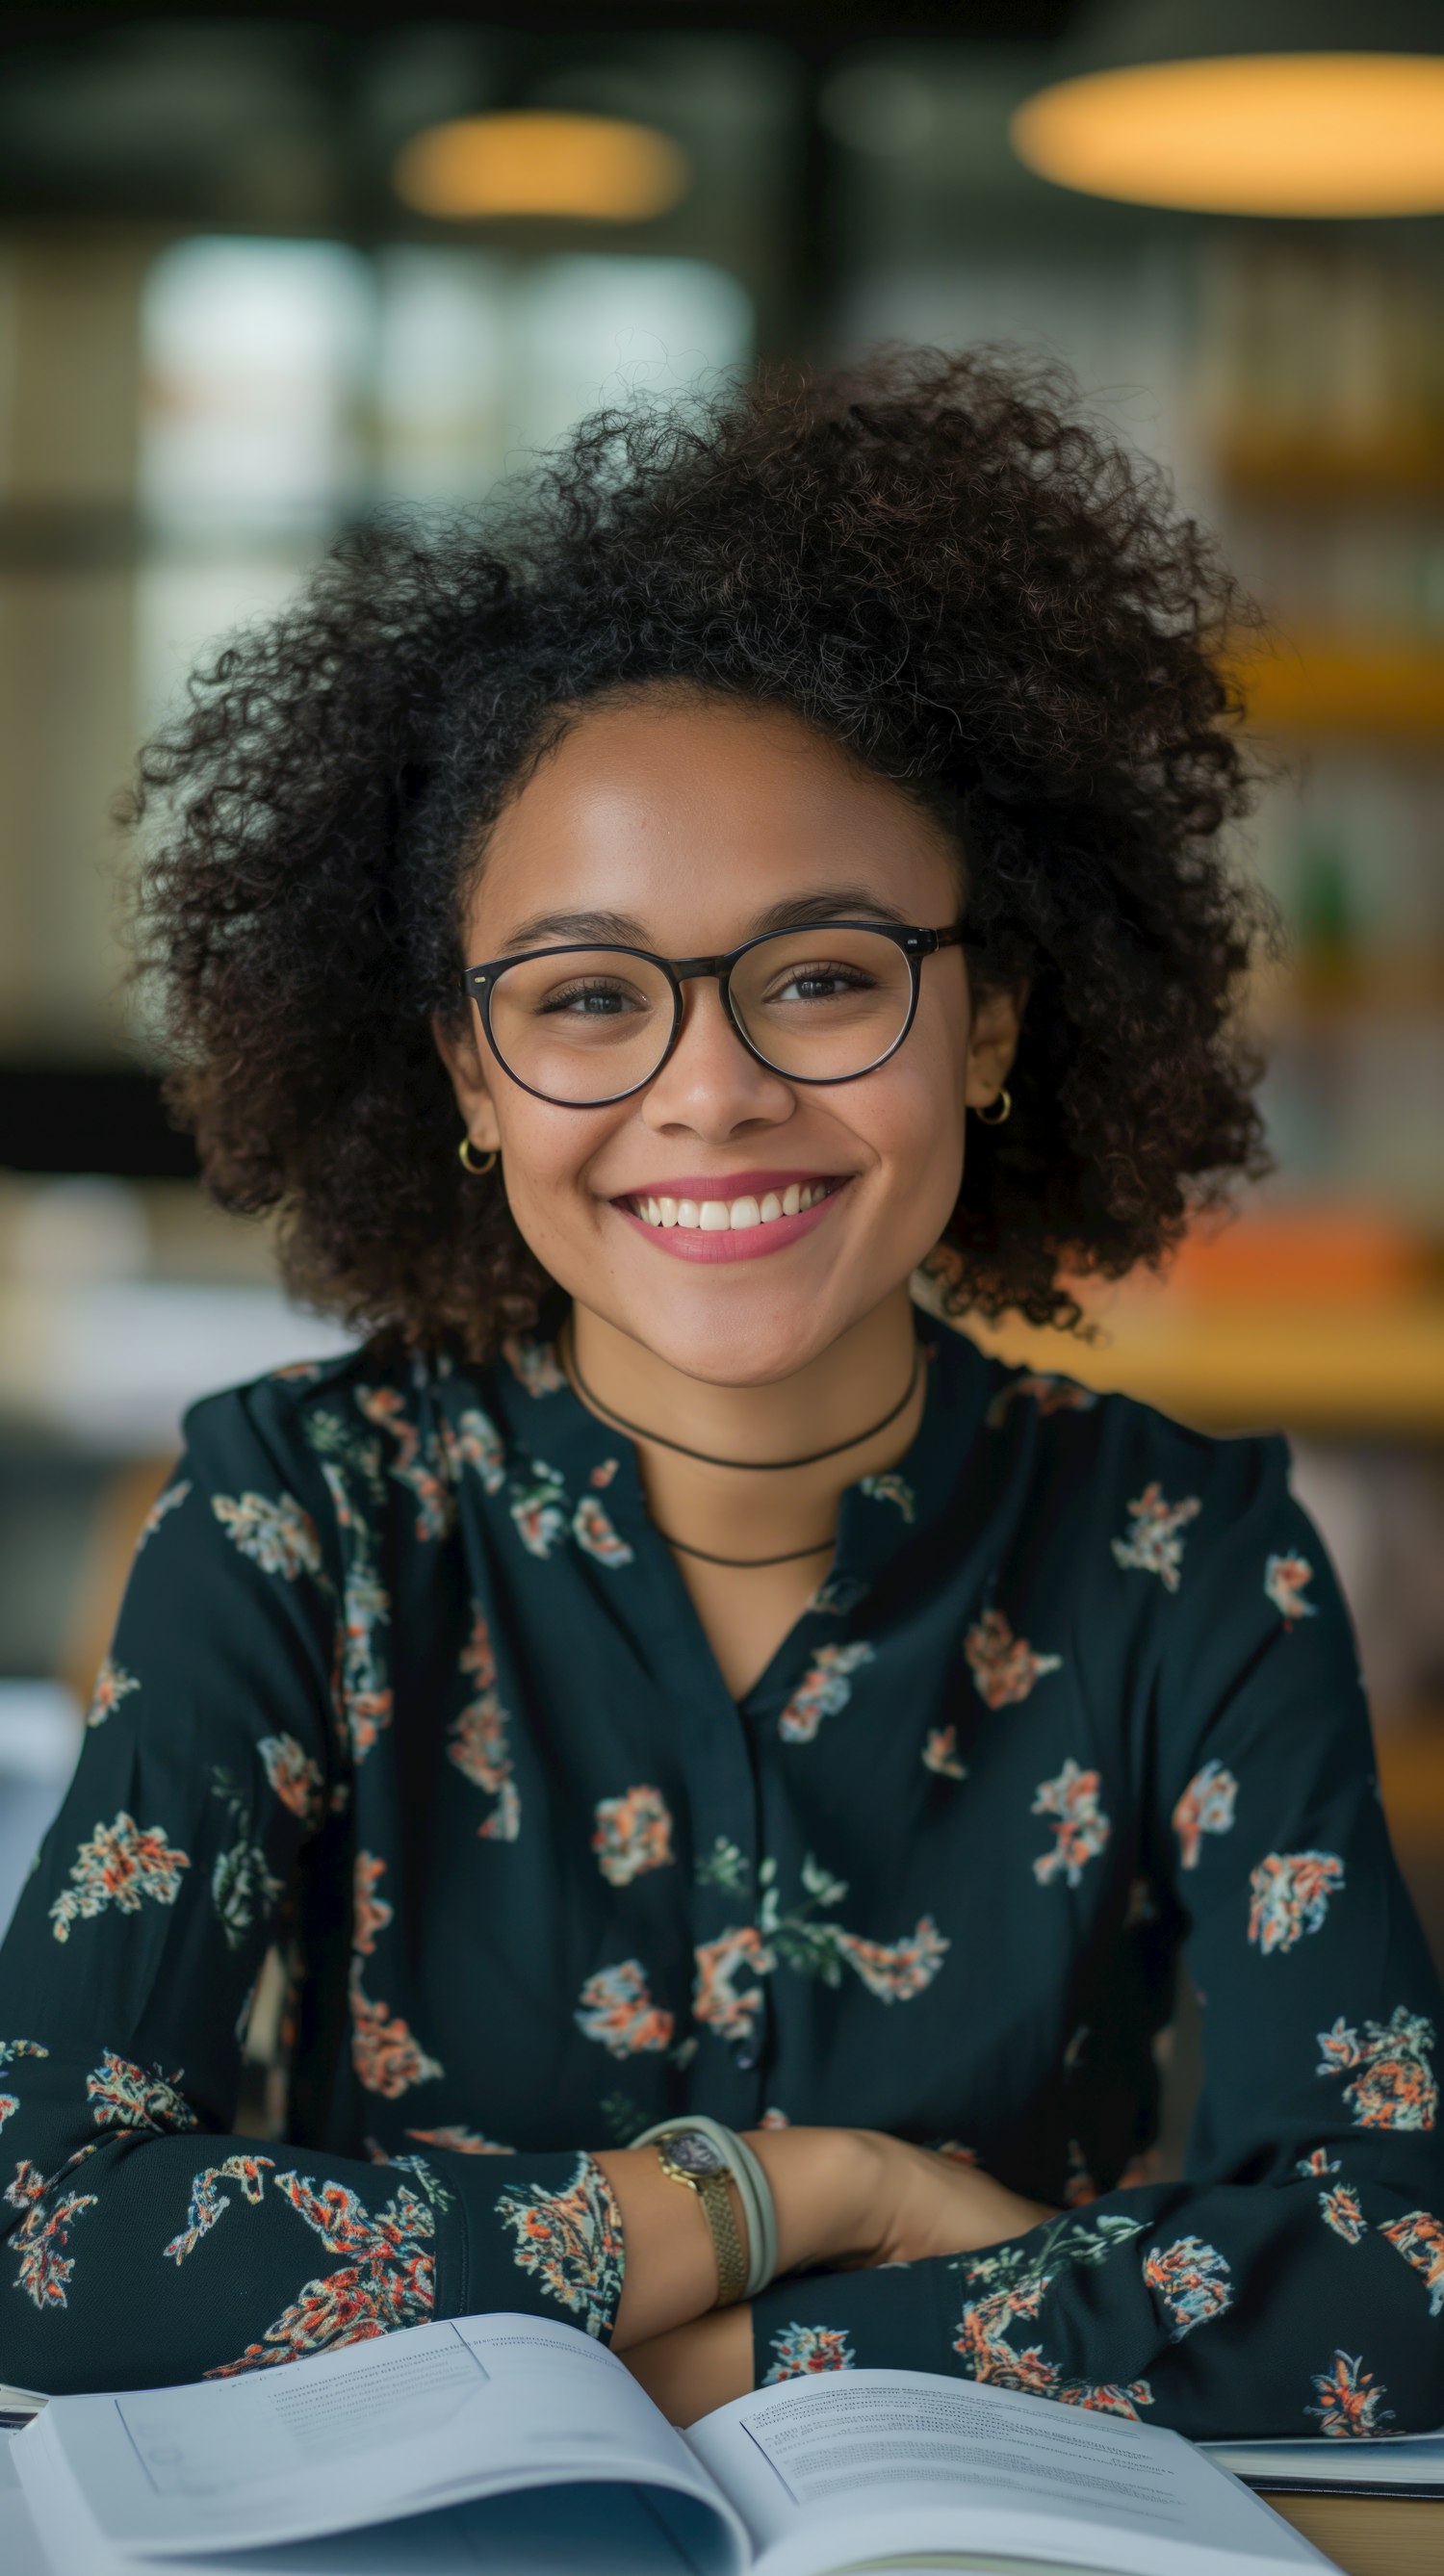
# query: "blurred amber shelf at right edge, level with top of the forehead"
x,y
1337,687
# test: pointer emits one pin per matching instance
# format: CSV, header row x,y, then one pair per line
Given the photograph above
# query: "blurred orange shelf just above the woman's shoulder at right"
x,y
1353,1367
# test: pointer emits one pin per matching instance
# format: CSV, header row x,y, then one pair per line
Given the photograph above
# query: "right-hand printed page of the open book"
x,y
869,2467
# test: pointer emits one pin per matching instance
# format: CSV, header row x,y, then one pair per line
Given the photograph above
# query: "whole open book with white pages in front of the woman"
x,y
519,2446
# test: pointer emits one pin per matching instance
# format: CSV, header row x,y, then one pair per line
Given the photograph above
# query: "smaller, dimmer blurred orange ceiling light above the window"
x,y
529,164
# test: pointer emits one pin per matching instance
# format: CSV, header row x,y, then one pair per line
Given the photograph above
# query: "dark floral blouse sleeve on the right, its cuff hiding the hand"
x,y
1293,2281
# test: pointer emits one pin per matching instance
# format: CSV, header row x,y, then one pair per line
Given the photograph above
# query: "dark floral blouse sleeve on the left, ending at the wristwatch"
x,y
145,2240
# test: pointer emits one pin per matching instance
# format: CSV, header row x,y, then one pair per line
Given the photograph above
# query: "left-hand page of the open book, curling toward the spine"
x,y
385,2428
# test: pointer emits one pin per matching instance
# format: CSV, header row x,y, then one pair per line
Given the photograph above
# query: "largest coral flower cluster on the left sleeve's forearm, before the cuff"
x,y
387,2278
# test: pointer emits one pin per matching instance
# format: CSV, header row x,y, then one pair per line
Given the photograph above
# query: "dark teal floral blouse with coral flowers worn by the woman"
x,y
408,1704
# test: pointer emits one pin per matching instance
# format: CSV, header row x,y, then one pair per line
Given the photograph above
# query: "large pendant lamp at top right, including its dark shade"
x,y
1314,109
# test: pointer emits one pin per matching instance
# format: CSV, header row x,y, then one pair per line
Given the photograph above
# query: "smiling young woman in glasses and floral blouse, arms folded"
x,y
668,1671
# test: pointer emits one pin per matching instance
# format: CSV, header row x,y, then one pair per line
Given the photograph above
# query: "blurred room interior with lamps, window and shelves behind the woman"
x,y
266,272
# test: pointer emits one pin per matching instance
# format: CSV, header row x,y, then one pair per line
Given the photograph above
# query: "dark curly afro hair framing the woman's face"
x,y
933,558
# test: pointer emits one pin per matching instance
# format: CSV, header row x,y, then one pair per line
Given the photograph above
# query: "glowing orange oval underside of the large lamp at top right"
x,y
1250,135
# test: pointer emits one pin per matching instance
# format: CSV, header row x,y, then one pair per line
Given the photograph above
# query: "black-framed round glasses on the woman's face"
x,y
591,1024
